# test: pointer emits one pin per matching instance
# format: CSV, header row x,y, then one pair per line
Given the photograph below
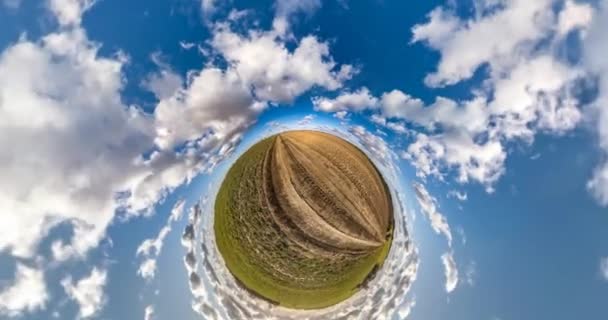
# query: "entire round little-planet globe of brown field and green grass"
x,y
302,218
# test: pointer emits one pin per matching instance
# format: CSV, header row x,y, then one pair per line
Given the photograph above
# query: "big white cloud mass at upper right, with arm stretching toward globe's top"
x,y
528,87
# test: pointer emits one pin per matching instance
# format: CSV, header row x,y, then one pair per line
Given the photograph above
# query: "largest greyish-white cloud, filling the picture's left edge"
x,y
54,92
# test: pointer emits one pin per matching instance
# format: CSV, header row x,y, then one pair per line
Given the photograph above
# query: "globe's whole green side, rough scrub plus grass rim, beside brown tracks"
x,y
258,253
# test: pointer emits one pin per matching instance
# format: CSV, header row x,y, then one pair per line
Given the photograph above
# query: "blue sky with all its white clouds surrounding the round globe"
x,y
489,116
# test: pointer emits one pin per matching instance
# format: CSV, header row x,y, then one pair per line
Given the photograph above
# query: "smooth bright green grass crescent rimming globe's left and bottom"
x,y
263,285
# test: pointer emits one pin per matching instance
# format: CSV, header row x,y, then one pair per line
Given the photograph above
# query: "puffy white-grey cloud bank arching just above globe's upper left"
x,y
218,105
